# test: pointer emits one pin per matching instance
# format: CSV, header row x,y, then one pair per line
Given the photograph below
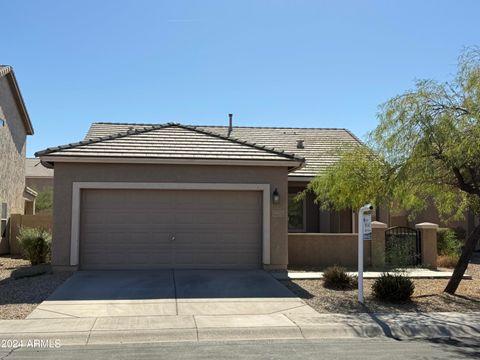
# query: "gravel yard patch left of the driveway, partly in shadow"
x,y
18,297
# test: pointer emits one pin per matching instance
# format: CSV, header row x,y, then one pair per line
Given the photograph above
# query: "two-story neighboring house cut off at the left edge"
x,y
15,125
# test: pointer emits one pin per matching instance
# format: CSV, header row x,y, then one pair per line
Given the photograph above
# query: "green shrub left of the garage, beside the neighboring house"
x,y
36,244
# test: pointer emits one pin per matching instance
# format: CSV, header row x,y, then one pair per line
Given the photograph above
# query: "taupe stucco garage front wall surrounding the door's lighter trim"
x,y
67,173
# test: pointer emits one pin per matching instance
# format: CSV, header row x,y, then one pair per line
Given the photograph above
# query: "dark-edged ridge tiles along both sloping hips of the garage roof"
x,y
162,126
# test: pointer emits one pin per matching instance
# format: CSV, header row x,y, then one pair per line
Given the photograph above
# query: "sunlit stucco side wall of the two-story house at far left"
x,y
12,151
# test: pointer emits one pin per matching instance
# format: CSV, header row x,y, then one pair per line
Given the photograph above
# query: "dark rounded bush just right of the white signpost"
x,y
393,287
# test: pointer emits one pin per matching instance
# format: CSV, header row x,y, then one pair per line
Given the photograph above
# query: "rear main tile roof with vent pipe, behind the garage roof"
x,y
320,144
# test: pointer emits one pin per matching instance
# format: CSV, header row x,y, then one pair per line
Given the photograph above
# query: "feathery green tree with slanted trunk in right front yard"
x,y
426,146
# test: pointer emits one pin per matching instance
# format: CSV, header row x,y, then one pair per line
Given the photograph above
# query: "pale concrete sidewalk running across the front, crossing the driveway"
x,y
286,325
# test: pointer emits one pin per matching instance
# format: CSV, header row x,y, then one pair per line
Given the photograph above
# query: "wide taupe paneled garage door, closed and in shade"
x,y
153,229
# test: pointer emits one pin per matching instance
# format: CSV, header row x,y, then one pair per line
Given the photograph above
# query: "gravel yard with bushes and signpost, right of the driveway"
x,y
428,295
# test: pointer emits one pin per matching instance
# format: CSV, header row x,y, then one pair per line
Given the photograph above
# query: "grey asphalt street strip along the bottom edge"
x,y
358,349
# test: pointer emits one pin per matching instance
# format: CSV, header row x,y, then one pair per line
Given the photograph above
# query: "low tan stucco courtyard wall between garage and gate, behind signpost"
x,y
322,250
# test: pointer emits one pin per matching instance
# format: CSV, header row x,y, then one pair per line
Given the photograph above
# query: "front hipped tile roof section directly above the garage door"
x,y
169,141
